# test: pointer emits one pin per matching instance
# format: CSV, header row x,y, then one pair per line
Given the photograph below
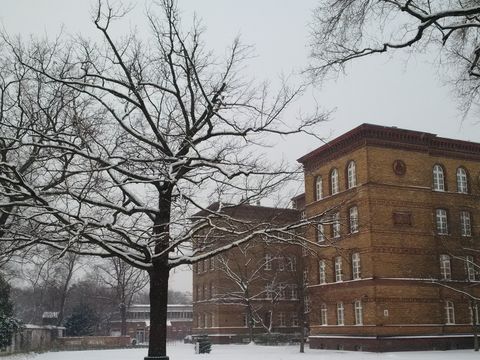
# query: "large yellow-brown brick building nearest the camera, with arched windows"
x,y
401,240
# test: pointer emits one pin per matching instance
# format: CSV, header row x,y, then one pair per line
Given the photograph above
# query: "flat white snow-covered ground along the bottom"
x,y
248,352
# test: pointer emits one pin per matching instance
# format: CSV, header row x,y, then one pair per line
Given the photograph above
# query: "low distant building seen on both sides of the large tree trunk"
x,y
179,322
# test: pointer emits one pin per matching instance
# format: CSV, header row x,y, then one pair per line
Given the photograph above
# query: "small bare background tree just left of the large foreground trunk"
x,y
126,281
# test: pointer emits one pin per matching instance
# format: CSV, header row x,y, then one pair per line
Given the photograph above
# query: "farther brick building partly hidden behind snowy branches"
x,y
252,289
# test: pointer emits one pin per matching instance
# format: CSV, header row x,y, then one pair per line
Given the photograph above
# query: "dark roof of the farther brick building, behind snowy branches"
x,y
253,212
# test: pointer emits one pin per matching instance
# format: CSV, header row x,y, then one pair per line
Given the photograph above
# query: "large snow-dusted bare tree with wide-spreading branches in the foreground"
x,y
153,125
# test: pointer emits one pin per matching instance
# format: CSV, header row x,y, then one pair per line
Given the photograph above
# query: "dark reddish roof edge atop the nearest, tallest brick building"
x,y
368,134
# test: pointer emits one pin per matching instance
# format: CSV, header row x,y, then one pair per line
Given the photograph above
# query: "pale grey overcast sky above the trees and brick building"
x,y
406,92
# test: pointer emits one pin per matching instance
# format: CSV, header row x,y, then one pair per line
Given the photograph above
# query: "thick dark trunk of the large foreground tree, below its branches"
x,y
157,348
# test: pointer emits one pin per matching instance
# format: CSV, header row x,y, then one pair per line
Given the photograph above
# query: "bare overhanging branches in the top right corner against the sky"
x,y
346,30
